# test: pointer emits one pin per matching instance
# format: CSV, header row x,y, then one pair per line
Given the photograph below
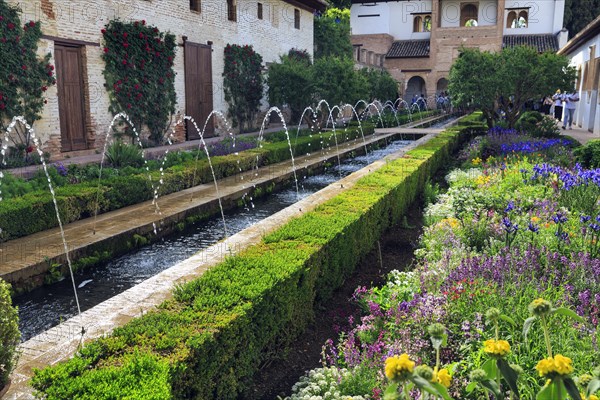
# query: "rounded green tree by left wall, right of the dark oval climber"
x,y
291,82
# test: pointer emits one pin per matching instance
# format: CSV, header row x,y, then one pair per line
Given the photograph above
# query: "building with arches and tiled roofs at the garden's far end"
x,y
420,38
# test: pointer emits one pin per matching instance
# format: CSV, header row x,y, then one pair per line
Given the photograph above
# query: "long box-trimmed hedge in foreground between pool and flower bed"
x,y
208,341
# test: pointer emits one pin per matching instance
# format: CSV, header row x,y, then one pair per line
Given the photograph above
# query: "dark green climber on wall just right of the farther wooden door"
x,y
242,83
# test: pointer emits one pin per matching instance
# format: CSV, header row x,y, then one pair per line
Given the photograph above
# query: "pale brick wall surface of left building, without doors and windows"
x,y
83,19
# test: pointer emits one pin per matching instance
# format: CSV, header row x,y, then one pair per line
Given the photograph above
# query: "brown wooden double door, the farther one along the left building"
x,y
198,88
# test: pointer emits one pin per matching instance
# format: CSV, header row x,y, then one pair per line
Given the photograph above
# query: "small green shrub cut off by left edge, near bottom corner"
x,y
9,334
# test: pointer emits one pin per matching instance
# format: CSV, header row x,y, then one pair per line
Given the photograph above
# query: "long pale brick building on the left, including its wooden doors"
x,y
72,35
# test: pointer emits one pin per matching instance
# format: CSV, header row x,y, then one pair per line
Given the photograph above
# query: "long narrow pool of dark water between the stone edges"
x,y
47,306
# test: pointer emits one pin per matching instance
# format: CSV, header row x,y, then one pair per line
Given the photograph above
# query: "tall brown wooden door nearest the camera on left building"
x,y
71,110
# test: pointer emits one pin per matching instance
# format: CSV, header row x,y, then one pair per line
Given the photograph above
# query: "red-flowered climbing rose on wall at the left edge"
x,y
24,77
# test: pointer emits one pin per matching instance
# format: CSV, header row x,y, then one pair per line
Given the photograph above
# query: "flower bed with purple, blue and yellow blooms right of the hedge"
x,y
508,272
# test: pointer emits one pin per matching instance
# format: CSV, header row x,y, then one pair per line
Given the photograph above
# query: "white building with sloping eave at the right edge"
x,y
584,51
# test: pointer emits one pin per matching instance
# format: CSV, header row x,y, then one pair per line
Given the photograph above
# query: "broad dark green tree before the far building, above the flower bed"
x,y
502,82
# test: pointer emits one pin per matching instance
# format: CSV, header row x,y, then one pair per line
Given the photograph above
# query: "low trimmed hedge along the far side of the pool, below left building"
x,y
34,212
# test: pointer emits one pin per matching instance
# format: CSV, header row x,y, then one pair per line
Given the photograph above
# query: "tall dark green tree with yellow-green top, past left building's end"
x,y
332,34
